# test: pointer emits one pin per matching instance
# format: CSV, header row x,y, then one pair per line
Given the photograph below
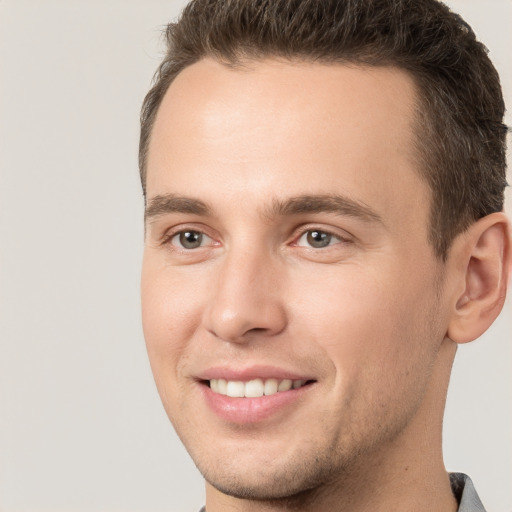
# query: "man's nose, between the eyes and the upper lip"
x,y
246,302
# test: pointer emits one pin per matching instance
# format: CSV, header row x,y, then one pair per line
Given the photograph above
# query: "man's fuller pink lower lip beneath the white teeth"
x,y
252,410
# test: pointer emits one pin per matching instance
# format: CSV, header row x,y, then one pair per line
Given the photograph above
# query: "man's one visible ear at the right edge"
x,y
484,256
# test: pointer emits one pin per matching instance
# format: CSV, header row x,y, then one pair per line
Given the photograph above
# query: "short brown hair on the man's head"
x,y
461,138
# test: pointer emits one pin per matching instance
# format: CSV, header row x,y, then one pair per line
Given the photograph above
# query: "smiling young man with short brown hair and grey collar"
x,y
324,192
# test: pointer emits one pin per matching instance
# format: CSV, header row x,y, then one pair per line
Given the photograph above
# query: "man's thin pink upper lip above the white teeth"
x,y
250,373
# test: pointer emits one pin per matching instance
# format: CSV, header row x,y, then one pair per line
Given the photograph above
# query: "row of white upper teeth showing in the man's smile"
x,y
253,388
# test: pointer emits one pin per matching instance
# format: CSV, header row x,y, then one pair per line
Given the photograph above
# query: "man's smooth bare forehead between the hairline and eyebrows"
x,y
278,128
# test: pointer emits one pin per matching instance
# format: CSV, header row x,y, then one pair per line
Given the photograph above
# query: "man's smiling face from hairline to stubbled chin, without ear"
x,y
286,240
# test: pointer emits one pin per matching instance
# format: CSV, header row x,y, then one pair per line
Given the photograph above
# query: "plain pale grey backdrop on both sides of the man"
x,y
81,425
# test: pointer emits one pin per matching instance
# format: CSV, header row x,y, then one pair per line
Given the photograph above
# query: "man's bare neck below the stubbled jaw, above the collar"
x,y
406,474
